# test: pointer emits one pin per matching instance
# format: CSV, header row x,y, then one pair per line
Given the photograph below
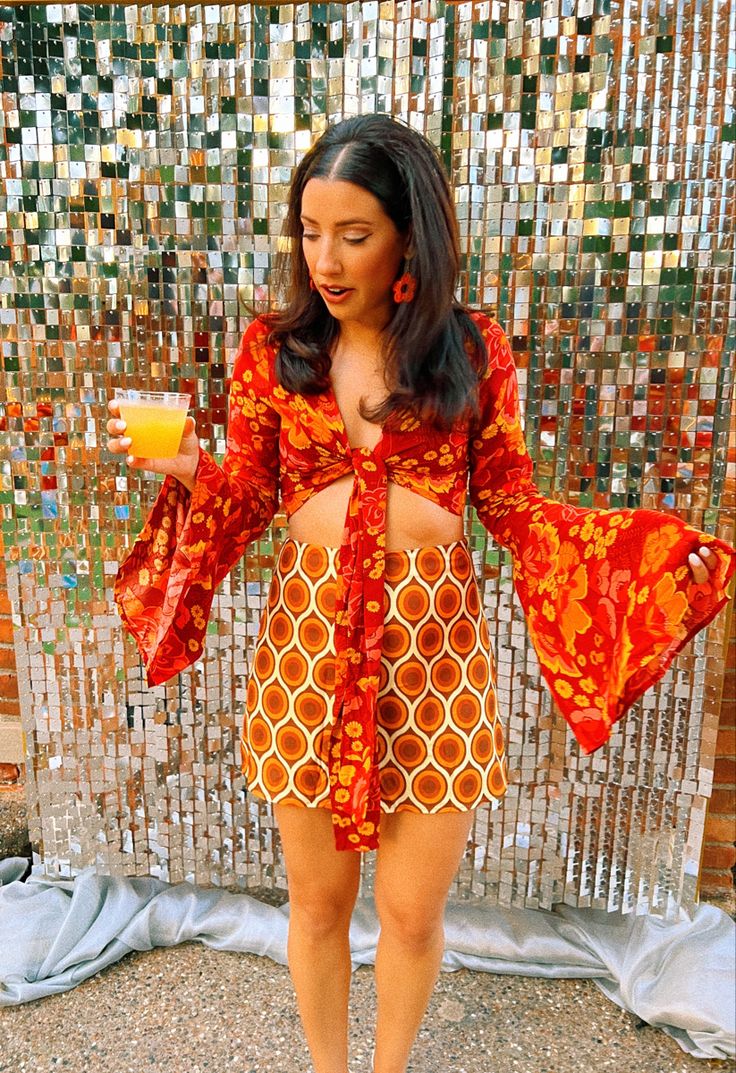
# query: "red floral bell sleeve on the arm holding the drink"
x,y
166,585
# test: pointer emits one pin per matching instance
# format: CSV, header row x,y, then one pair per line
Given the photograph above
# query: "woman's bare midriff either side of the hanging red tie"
x,y
411,520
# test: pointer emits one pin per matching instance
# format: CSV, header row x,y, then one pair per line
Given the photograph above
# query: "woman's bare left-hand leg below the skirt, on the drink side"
x,y
322,890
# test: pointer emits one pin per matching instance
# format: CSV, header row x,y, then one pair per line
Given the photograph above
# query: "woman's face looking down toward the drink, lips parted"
x,y
354,252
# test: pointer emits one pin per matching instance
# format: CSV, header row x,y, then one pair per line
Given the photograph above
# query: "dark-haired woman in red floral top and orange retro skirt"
x,y
370,405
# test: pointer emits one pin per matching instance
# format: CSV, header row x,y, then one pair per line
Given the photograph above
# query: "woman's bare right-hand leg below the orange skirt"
x,y
418,859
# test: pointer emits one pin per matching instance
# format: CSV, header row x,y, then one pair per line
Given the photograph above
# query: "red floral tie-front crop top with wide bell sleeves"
x,y
609,596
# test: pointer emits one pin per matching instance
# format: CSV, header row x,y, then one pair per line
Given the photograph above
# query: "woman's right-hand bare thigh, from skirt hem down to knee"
x,y
418,859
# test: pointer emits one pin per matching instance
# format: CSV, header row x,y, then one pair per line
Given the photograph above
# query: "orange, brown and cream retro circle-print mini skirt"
x,y
440,741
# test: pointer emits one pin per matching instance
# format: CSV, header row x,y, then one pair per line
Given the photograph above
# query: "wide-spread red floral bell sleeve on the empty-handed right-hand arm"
x,y
609,596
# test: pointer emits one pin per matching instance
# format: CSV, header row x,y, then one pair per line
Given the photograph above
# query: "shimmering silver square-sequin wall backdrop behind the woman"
x,y
145,159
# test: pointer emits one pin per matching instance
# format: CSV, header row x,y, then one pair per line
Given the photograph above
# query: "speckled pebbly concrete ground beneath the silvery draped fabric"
x,y
189,1009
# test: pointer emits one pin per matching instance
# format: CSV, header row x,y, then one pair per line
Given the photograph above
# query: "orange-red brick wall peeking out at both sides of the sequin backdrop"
x,y
719,855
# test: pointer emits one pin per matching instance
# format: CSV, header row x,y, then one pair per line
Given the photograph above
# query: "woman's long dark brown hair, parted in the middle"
x,y
433,350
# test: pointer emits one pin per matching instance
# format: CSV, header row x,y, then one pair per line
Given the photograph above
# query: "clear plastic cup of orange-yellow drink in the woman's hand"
x,y
155,421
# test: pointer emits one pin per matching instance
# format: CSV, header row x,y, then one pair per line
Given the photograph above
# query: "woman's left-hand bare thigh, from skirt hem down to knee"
x,y
322,880
